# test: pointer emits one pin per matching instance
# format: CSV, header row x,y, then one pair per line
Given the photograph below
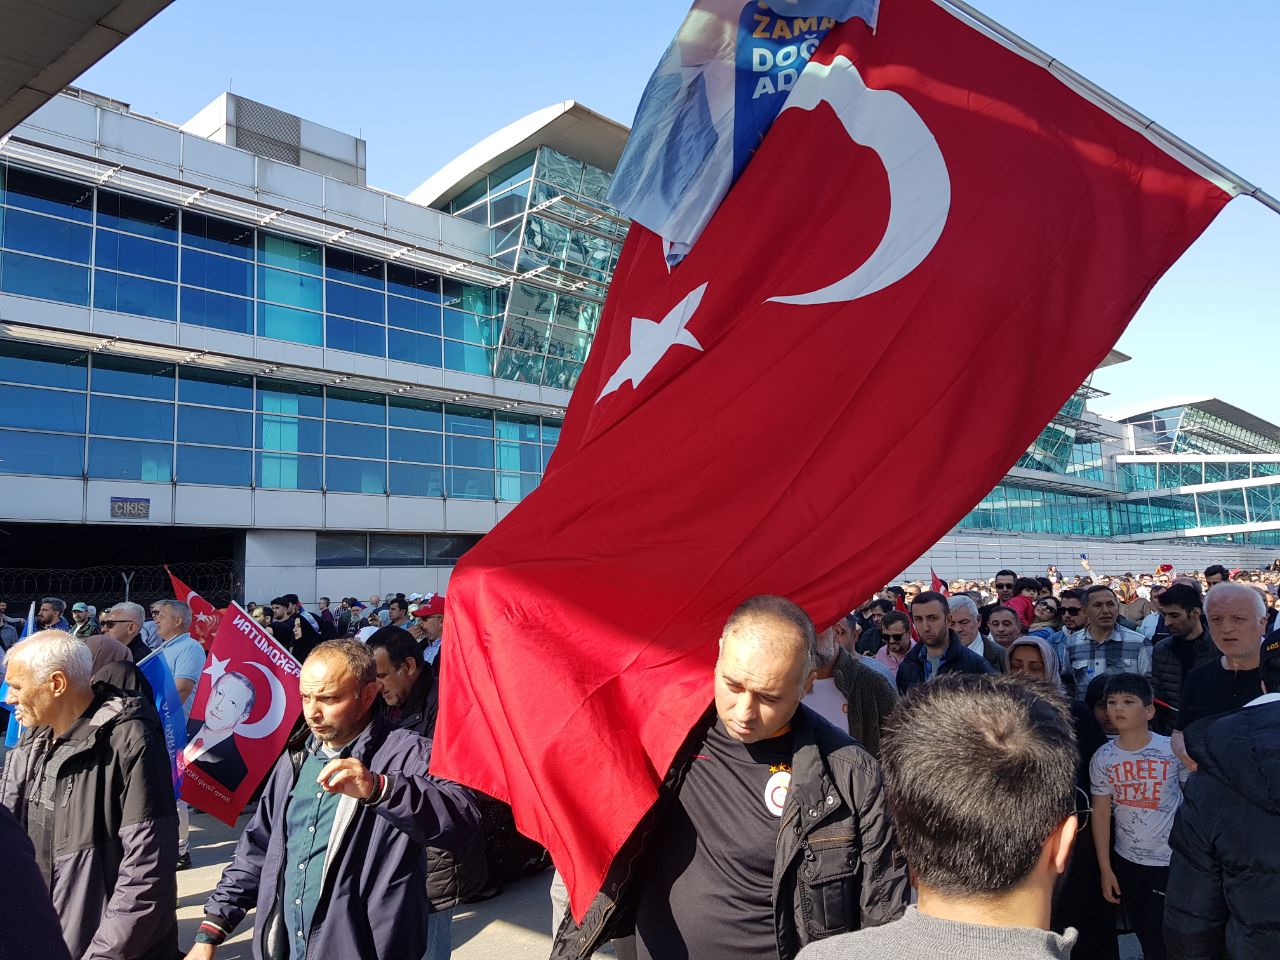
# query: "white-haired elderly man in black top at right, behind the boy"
x,y
1237,619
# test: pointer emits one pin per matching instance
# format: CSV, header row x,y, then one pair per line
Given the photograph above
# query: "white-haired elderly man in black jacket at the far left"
x,y
90,783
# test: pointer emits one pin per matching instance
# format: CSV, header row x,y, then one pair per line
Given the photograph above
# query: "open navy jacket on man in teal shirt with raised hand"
x,y
373,900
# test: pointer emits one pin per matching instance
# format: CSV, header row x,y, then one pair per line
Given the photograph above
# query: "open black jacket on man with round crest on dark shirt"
x,y
838,868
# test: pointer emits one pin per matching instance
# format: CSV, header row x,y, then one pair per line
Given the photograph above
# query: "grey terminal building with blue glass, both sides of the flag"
x,y
217,340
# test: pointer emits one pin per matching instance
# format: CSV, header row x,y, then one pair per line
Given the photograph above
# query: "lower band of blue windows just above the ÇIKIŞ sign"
x,y
67,413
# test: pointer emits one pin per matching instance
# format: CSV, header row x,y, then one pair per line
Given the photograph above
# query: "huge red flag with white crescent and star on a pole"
x,y
934,228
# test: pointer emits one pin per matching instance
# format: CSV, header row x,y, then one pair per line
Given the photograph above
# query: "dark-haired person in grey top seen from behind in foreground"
x,y
985,840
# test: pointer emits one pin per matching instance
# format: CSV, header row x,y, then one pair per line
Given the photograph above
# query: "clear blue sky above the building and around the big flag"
x,y
424,81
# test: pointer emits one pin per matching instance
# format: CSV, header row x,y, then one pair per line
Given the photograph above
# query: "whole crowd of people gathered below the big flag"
x,y
1025,766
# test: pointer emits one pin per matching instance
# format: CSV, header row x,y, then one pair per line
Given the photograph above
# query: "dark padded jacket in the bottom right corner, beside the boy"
x,y
1224,880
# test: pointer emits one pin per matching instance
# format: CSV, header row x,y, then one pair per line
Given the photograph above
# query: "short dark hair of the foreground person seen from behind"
x,y
977,829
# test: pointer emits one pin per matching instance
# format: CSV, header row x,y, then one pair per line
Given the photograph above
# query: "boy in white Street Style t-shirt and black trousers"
x,y
1136,783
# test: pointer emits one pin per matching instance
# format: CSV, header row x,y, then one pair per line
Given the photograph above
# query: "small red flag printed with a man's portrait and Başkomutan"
x,y
246,703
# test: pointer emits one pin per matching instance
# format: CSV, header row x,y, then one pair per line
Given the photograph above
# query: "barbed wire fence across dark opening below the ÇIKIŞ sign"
x,y
220,582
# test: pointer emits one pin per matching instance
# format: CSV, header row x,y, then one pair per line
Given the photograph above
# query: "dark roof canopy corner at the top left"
x,y
48,44
